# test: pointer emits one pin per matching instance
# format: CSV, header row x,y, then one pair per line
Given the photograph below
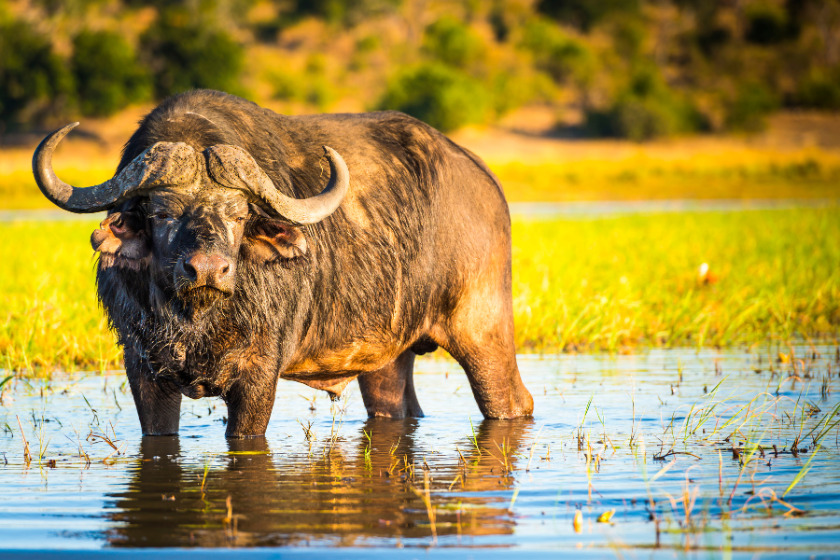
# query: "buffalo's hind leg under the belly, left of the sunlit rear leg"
x,y
389,392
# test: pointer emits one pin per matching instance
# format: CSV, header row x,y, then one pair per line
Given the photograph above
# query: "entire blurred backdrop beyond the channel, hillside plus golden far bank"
x,y
635,98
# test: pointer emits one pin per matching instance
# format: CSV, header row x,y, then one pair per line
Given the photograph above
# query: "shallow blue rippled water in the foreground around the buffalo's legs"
x,y
649,435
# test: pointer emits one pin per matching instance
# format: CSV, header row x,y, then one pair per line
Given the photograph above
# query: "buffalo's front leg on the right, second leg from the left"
x,y
250,403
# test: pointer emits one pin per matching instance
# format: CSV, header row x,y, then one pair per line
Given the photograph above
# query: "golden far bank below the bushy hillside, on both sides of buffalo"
x,y
548,170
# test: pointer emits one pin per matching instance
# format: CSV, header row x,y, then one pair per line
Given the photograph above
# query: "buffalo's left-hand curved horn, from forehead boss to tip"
x,y
163,163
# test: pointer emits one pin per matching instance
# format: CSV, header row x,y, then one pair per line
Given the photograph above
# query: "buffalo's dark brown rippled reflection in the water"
x,y
364,494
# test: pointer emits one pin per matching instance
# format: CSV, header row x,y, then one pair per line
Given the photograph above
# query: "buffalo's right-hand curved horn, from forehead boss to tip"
x,y
233,167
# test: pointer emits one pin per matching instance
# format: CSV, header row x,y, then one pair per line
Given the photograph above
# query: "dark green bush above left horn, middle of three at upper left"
x,y
108,75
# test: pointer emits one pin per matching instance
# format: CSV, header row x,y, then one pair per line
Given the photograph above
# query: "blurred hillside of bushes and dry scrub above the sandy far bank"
x,y
635,69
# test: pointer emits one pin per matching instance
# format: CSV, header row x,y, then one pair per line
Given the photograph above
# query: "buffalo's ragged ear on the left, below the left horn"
x,y
121,241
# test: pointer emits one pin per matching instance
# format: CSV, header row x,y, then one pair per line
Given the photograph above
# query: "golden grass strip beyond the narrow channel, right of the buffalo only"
x,y
644,175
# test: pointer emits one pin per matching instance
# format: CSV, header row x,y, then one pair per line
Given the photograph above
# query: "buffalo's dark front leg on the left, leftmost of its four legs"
x,y
158,402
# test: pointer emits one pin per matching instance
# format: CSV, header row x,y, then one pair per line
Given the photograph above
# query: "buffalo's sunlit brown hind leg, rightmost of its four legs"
x,y
480,337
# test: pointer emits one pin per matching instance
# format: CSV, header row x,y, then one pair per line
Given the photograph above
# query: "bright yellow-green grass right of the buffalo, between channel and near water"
x,y
614,284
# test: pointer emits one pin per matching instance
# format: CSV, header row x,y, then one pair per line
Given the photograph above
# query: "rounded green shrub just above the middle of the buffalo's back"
x,y
439,95
